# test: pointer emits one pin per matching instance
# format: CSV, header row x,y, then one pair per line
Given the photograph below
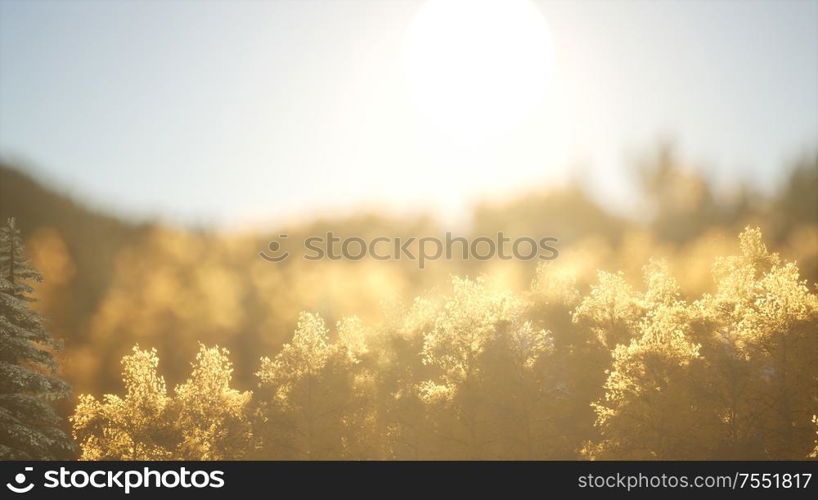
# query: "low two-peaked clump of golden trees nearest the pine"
x,y
204,421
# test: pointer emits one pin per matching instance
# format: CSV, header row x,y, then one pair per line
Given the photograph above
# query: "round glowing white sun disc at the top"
x,y
477,68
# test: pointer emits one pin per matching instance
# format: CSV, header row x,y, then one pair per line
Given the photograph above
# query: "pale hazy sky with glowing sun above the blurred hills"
x,y
229,112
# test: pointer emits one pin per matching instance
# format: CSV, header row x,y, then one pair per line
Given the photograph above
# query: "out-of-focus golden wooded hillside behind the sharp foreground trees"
x,y
111,282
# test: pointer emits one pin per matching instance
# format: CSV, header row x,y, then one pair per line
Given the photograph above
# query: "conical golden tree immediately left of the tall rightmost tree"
x,y
648,410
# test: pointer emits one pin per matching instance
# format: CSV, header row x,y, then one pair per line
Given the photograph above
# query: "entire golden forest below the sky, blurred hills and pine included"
x,y
689,335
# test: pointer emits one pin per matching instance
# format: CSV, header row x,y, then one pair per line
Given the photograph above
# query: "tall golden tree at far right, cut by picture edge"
x,y
758,334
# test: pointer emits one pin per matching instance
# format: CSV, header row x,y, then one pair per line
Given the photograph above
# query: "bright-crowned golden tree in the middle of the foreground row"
x,y
470,324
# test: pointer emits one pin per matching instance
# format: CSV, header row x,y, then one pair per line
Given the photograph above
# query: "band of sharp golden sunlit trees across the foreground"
x,y
622,371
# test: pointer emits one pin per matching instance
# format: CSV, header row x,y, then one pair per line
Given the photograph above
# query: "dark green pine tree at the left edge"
x,y
29,426
